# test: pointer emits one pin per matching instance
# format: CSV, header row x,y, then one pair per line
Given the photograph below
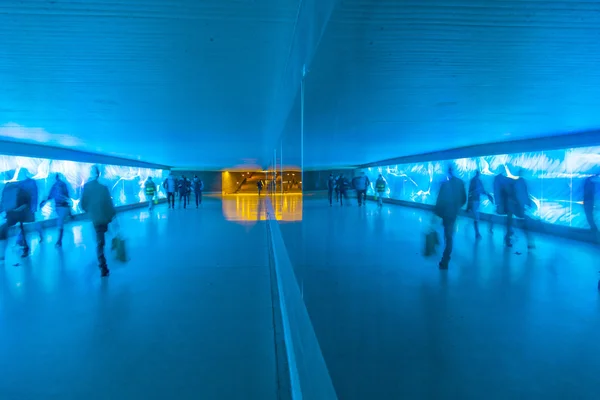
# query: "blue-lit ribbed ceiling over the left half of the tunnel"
x,y
177,82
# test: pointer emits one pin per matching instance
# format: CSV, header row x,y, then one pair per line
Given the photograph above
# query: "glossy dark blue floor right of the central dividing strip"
x,y
499,324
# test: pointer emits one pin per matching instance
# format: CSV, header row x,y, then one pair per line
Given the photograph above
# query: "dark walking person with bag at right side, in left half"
x,y
97,203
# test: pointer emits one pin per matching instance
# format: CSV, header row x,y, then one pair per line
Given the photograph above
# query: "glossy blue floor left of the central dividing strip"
x,y
189,317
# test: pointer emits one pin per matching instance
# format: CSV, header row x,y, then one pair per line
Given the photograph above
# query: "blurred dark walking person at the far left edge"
x,y
16,204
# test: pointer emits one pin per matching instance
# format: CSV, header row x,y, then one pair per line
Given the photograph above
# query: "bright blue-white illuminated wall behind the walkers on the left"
x,y
125,183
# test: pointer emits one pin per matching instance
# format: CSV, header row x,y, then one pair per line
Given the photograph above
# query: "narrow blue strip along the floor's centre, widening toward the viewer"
x,y
309,377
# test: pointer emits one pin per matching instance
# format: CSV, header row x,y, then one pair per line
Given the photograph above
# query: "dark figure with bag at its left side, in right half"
x,y
451,198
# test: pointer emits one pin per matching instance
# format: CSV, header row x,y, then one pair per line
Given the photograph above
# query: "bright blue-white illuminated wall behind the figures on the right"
x,y
555,180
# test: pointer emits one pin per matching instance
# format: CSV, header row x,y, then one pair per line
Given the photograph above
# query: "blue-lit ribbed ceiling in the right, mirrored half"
x,y
394,78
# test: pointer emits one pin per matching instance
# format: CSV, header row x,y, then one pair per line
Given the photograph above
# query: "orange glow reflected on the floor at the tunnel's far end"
x,y
250,207
